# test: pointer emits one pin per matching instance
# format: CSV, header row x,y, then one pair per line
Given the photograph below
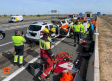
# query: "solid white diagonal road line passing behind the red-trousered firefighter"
x,y
26,65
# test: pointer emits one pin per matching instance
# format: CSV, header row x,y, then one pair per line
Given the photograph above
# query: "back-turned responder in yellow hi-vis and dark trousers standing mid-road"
x,y
76,31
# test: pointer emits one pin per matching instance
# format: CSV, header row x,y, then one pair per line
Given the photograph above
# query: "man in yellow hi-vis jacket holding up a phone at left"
x,y
18,41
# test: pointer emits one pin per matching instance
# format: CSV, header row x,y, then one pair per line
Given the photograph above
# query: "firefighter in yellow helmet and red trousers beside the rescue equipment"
x,y
46,54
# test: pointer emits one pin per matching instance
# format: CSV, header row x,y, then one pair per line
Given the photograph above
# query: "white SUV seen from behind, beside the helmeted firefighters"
x,y
34,31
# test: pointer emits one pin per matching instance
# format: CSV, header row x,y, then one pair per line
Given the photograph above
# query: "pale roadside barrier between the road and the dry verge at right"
x,y
93,73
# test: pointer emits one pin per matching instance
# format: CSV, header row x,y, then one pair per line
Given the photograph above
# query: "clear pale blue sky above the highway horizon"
x,y
34,7
